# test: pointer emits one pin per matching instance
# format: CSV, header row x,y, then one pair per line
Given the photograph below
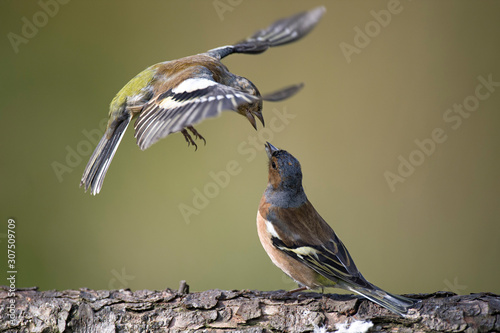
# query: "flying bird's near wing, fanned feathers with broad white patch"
x,y
190,102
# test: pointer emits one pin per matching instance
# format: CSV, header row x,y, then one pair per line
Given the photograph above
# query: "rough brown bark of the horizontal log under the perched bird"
x,y
169,310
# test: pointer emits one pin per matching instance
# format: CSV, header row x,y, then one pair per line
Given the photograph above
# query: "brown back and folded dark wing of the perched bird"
x,y
323,252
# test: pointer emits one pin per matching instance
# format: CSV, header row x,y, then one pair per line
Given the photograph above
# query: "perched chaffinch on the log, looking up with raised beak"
x,y
302,244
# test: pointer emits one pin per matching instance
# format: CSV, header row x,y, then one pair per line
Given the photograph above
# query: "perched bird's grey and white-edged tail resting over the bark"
x,y
395,303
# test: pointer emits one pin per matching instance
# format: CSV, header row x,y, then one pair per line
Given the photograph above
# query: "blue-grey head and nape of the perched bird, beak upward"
x,y
285,178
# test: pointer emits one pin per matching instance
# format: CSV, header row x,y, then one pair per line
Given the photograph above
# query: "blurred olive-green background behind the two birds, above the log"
x,y
358,113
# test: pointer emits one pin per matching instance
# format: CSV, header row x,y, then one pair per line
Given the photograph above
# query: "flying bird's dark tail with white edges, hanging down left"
x,y
98,165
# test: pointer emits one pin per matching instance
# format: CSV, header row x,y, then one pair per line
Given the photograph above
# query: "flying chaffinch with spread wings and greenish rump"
x,y
173,96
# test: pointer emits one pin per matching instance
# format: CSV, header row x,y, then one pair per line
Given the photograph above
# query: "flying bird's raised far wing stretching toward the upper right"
x,y
281,32
